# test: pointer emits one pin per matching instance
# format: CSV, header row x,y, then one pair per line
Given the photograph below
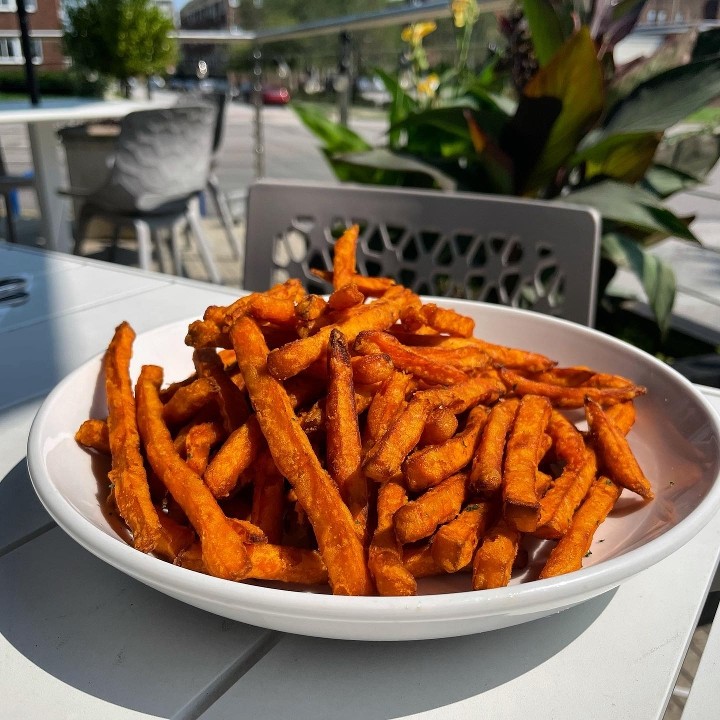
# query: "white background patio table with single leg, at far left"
x,y
42,121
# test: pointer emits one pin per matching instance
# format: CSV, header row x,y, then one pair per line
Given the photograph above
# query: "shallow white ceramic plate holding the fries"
x,y
676,438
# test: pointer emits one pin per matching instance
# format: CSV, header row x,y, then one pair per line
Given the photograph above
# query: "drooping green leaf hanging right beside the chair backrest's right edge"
x,y
656,276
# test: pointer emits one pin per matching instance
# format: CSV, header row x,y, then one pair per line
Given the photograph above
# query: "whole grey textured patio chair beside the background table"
x,y
160,165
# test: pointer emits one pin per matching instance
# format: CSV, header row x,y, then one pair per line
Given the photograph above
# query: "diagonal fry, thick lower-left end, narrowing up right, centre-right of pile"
x,y
433,464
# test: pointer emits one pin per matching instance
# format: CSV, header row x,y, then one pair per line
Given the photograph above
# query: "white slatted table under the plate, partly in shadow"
x,y
79,639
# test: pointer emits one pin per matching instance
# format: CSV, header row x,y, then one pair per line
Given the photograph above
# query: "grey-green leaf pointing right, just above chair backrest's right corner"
x,y
630,205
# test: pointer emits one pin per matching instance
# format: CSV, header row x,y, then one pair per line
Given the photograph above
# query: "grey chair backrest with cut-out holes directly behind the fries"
x,y
530,254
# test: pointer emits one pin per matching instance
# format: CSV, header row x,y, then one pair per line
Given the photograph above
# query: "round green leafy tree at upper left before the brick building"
x,y
120,39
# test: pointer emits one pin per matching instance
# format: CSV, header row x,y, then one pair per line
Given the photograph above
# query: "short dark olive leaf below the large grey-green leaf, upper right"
x,y
622,157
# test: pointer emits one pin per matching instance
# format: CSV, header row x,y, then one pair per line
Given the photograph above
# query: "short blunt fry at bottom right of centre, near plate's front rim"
x,y
454,544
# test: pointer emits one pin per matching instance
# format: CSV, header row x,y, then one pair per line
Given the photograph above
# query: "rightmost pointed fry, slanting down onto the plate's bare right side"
x,y
615,457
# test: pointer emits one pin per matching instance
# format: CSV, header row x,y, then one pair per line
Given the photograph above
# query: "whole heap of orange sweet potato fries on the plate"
x,y
363,440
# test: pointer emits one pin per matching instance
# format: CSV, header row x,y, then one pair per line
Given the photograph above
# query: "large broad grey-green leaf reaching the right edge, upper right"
x,y
666,99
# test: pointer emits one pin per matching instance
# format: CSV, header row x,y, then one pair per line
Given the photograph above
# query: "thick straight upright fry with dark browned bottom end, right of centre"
x,y
521,504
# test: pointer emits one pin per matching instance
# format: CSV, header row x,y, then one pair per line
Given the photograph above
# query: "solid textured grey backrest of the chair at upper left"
x,y
162,158
